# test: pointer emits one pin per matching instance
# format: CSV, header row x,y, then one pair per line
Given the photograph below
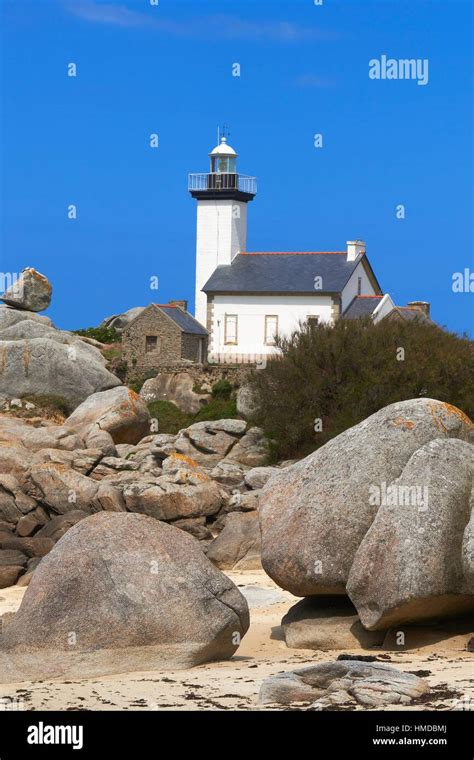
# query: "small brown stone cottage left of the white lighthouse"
x,y
164,334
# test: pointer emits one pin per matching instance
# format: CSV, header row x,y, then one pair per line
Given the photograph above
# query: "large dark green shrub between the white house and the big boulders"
x,y
341,374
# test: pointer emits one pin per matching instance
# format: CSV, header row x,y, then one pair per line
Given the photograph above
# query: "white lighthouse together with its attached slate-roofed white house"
x,y
245,298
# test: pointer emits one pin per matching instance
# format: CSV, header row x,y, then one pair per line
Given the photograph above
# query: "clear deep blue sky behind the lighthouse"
x,y
167,69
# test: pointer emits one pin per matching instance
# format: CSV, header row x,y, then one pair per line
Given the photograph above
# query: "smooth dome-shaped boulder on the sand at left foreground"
x,y
120,593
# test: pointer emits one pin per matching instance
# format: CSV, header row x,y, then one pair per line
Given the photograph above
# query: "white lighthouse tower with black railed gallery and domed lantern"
x,y
222,196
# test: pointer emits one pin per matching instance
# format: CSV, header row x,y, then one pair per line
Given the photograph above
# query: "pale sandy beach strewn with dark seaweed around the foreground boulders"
x,y
235,684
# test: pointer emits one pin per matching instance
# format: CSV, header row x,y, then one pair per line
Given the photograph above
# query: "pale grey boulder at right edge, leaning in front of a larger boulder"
x,y
409,566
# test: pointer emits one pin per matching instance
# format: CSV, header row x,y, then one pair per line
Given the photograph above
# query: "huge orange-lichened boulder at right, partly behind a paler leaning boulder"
x,y
315,514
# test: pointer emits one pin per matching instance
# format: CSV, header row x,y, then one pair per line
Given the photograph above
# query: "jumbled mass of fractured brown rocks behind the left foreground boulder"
x,y
52,476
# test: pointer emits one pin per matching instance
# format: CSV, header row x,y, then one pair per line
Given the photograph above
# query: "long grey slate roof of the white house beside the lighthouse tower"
x,y
282,273
